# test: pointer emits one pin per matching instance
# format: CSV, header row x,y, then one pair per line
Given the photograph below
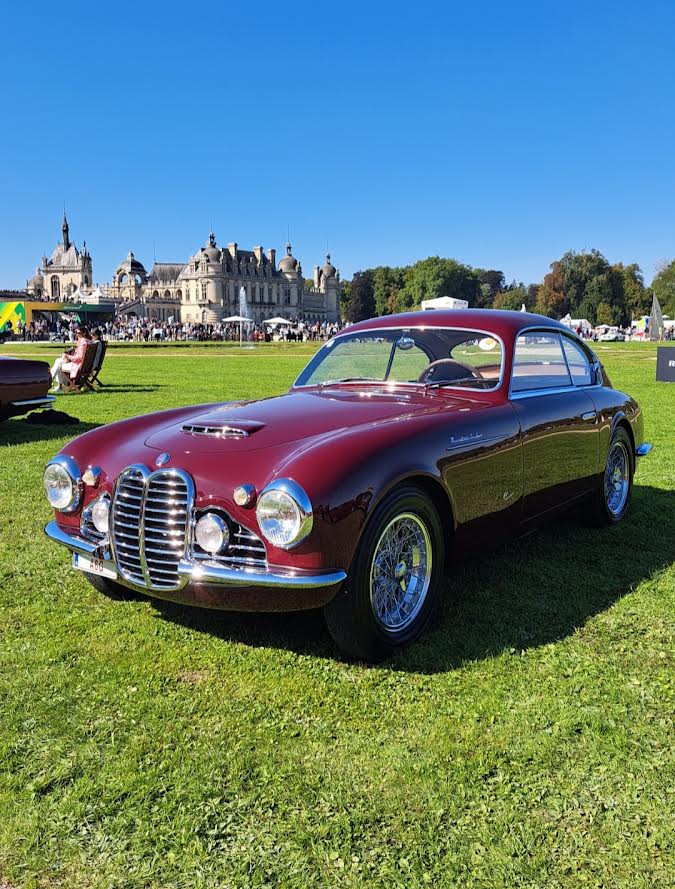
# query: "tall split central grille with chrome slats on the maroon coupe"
x,y
149,525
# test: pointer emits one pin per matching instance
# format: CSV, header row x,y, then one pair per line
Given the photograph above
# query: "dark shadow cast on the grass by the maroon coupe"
x,y
533,592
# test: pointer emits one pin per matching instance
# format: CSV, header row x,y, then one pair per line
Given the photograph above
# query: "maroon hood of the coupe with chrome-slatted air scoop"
x,y
231,428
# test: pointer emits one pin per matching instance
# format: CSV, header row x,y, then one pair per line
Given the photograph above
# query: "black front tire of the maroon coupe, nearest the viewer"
x,y
350,616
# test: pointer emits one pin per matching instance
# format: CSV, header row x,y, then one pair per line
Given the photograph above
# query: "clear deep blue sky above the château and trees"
x,y
501,134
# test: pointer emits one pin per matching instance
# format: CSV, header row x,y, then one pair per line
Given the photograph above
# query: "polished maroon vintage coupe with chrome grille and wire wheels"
x,y
406,442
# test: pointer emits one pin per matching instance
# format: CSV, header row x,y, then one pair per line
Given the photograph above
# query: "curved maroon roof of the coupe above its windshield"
x,y
499,321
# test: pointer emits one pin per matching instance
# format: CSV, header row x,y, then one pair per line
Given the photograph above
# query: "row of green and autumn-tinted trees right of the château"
x,y
584,284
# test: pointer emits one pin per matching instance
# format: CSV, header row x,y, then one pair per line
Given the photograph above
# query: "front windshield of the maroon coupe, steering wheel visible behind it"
x,y
428,356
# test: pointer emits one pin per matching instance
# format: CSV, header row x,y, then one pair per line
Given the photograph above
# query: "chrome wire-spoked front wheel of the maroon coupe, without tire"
x,y
400,572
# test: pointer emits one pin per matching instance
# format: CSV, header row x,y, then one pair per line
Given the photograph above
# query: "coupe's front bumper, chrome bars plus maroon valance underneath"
x,y
209,585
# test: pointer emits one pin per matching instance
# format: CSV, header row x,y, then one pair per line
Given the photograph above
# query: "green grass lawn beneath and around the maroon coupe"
x,y
526,741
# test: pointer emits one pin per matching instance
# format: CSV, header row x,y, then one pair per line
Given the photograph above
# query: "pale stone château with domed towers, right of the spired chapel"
x,y
207,288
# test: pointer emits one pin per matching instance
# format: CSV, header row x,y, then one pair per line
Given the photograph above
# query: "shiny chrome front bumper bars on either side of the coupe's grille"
x,y
203,573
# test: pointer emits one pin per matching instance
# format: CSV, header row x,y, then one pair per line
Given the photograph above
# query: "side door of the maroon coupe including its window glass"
x,y
558,420
